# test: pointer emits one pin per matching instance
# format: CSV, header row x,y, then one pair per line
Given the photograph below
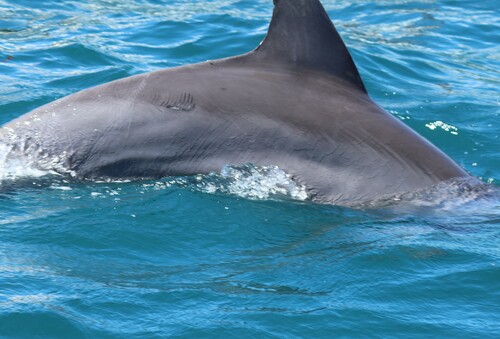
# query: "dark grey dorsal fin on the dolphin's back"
x,y
302,34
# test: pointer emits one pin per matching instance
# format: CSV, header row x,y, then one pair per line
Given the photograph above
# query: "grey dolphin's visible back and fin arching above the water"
x,y
297,102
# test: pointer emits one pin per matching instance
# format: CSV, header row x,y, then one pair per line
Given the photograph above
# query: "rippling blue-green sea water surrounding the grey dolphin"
x,y
241,254
